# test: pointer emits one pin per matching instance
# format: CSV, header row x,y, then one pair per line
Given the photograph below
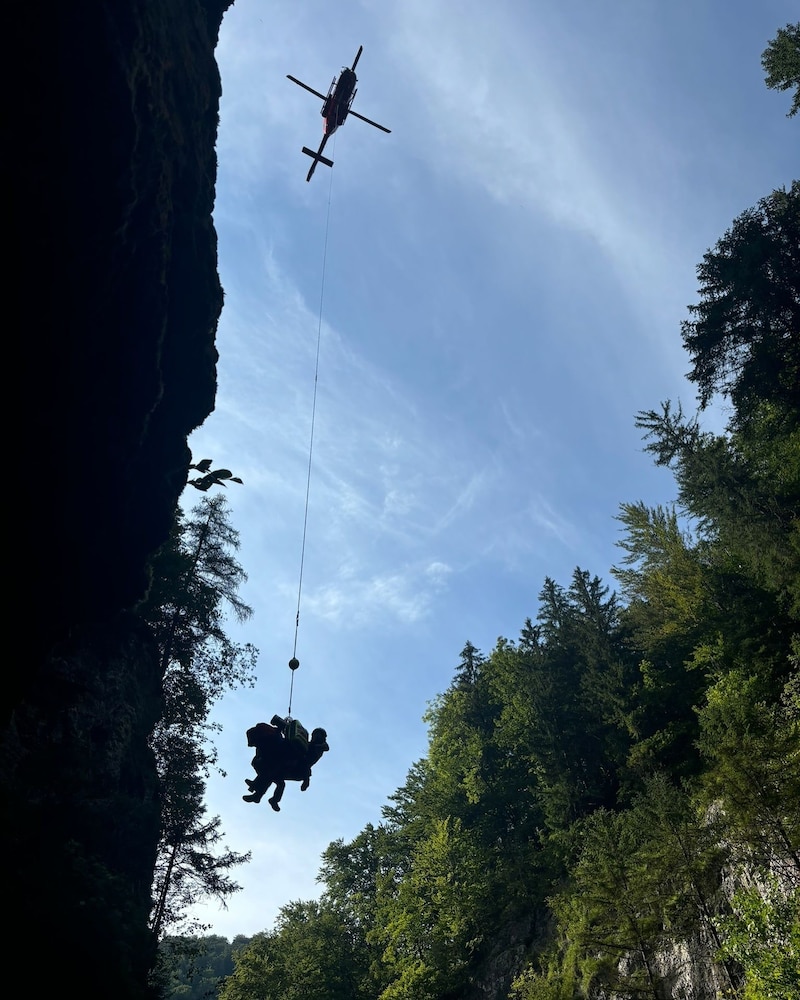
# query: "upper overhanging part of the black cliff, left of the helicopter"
x,y
117,294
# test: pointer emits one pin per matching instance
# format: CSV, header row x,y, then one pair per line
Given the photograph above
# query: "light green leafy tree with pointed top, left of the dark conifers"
x,y
440,847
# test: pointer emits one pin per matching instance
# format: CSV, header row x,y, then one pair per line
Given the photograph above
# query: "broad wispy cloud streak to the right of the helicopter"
x,y
514,114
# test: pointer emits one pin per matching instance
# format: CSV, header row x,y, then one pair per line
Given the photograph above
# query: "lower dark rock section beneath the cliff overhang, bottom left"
x,y
82,812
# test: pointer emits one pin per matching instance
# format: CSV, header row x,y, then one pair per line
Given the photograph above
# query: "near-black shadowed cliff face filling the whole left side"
x,y
114,301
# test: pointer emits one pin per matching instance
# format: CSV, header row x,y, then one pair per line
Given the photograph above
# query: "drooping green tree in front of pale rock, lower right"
x,y
645,878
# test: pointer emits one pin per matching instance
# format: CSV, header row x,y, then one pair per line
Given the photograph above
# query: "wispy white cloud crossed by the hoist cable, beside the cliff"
x,y
397,499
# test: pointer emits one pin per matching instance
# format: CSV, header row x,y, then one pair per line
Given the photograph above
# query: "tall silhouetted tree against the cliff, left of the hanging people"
x,y
194,577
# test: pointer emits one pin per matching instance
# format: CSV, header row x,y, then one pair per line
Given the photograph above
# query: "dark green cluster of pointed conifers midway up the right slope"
x,y
564,695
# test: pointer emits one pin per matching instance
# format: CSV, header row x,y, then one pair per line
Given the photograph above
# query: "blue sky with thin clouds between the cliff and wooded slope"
x,y
505,278
